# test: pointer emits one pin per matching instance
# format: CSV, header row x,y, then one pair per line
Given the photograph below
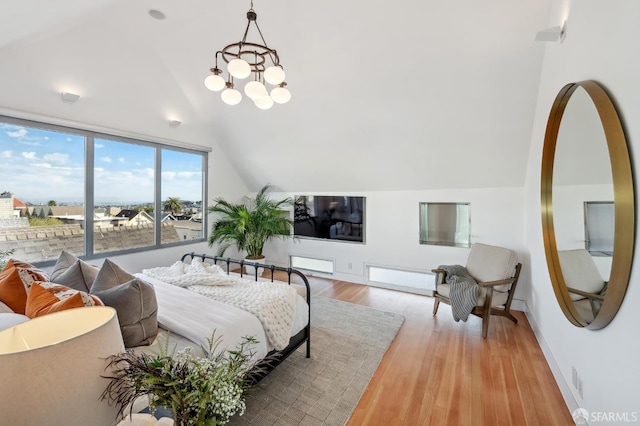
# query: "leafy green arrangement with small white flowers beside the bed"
x,y
198,391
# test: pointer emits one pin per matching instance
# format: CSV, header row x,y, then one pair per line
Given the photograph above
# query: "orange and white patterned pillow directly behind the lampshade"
x,y
45,298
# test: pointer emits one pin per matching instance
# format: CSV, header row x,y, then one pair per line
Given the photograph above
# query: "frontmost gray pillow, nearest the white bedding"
x,y
137,308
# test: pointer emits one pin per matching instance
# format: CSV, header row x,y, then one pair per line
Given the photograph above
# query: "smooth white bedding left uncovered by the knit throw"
x,y
194,317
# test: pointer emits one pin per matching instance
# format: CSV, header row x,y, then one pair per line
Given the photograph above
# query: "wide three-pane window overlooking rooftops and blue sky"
x,y
91,194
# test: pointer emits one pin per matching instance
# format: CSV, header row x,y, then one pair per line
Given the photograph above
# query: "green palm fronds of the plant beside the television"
x,y
249,225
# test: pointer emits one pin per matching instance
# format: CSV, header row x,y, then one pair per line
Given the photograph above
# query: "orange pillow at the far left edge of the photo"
x,y
15,280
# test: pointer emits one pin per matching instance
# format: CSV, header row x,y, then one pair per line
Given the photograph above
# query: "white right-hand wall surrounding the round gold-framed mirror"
x,y
601,44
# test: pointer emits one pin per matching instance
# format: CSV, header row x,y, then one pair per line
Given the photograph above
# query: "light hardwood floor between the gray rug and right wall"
x,y
439,372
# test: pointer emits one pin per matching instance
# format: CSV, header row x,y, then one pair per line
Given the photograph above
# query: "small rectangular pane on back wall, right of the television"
x,y
447,224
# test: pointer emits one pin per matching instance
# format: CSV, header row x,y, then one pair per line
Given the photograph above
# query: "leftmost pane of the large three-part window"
x,y
50,163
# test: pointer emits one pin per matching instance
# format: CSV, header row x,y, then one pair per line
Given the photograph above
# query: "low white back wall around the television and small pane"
x,y
392,232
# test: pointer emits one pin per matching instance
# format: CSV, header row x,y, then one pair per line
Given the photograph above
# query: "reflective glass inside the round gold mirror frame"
x,y
582,182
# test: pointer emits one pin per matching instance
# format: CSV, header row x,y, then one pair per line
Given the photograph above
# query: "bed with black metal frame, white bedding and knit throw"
x,y
188,313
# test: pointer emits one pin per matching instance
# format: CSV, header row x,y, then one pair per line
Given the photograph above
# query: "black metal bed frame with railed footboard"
x,y
274,358
